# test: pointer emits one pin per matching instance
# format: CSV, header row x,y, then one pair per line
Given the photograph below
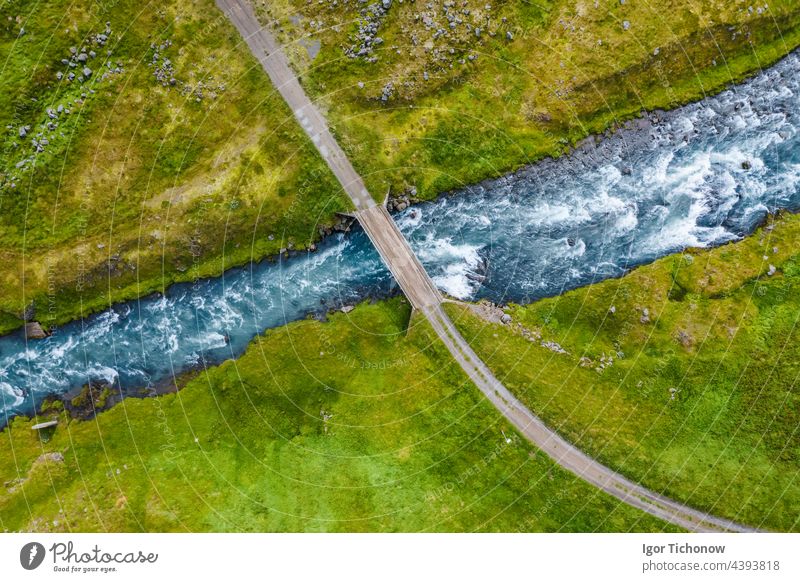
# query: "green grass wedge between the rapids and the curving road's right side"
x,y
722,334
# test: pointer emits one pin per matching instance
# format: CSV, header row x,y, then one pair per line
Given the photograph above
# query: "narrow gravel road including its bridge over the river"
x,y
424,296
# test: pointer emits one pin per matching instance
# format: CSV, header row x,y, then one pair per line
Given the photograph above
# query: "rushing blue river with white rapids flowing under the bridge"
x,y
698,176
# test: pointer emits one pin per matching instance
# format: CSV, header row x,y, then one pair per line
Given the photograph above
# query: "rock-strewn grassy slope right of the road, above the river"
x,y
456,92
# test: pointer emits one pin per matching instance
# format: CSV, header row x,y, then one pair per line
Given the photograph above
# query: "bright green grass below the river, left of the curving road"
x,y
349,425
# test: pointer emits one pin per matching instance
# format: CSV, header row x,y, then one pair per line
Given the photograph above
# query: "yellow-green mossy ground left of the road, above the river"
x,y
173,158
